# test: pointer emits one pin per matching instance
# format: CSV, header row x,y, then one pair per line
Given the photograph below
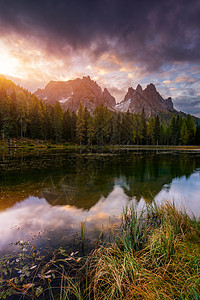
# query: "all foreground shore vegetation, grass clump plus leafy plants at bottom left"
x,y
155,254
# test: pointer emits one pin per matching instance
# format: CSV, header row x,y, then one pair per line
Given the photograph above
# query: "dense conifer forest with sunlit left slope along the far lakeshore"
x,y
22,114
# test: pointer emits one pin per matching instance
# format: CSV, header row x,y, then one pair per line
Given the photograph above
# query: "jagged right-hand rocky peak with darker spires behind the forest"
x,y
148,99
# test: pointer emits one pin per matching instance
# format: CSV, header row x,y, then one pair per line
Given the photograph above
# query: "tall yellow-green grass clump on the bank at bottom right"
x,y
157,257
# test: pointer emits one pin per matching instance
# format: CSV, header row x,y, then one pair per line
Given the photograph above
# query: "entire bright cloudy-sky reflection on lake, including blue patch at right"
x,y
35,219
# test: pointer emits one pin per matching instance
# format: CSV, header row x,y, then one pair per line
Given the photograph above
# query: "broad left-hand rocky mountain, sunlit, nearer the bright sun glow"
x,y
71,93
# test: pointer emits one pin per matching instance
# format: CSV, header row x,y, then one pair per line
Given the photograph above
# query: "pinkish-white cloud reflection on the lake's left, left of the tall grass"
x,y
34,219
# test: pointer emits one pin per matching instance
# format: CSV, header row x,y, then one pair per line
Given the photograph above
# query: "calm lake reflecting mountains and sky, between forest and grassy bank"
x,y
46,196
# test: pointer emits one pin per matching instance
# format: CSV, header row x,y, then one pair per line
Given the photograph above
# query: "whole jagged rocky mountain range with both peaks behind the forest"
x,y
89,93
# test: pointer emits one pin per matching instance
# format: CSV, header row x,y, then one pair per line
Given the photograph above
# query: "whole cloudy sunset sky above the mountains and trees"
x,y
118,43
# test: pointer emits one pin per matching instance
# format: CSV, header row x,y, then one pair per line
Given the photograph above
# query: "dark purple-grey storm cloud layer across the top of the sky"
x,y
149,32
